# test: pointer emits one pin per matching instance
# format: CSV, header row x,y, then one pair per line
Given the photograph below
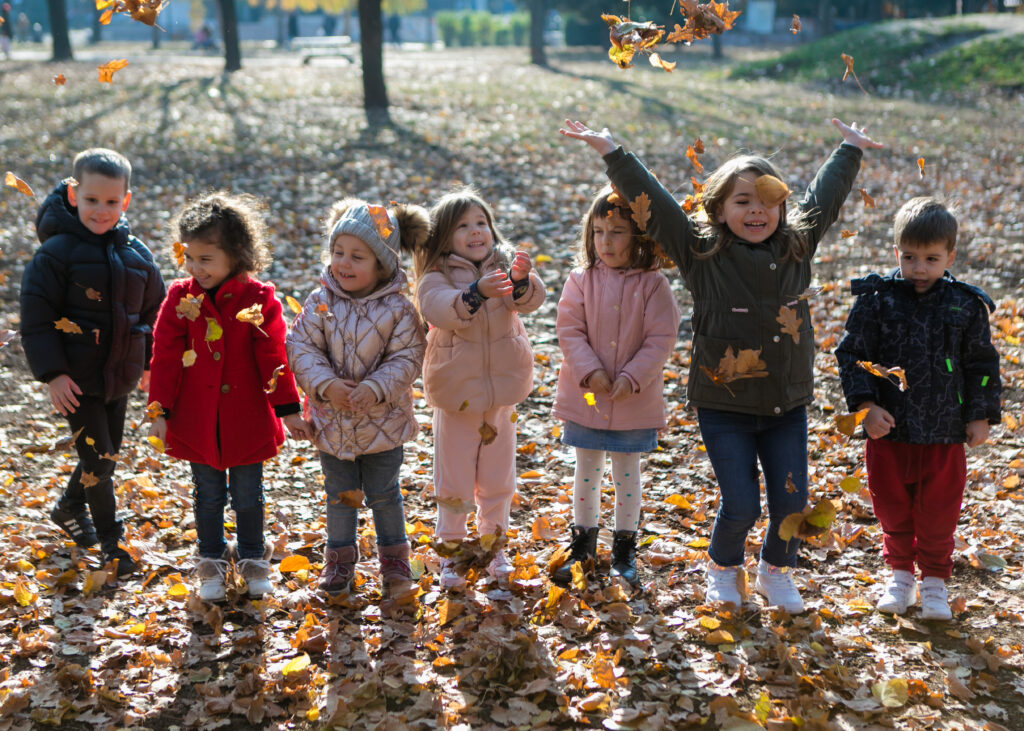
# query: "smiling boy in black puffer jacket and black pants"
x,y
90,298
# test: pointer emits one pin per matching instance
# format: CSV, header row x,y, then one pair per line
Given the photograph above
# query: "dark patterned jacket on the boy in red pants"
x,y
941,338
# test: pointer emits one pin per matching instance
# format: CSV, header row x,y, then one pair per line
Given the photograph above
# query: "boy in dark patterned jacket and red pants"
x,y
922,320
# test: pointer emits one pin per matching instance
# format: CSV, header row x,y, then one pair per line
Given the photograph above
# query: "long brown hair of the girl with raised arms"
x,y
792,231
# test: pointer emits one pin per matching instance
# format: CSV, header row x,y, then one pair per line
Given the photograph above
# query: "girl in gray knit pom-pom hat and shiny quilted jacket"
x,y
356,350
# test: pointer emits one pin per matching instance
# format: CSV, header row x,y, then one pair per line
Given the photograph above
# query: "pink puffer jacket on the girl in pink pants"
x,y
481,361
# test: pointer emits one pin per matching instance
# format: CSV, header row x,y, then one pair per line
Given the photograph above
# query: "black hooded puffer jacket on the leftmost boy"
x,y
107,285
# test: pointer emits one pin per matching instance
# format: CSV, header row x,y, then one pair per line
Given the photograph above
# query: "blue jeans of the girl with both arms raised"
x,y
736,444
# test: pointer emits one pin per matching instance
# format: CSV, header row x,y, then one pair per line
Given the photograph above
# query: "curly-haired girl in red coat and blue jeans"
x,y
221,381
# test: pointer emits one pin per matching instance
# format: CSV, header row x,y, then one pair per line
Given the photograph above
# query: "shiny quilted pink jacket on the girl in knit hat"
x,y
377,340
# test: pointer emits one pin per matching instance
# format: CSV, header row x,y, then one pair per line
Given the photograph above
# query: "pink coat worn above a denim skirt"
x,y
624,322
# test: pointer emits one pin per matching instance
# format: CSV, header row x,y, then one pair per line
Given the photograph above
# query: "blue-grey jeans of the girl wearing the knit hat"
x,y
377,477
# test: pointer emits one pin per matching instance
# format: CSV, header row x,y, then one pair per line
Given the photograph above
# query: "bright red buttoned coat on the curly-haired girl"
x,y
220,414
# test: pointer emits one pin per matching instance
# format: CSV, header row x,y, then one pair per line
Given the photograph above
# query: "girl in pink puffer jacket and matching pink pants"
x,y
472,288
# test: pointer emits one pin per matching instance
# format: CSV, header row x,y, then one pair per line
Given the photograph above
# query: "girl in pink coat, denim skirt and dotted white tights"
x,y
617,326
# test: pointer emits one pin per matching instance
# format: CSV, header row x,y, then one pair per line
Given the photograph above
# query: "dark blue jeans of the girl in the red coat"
x,y
212,487
